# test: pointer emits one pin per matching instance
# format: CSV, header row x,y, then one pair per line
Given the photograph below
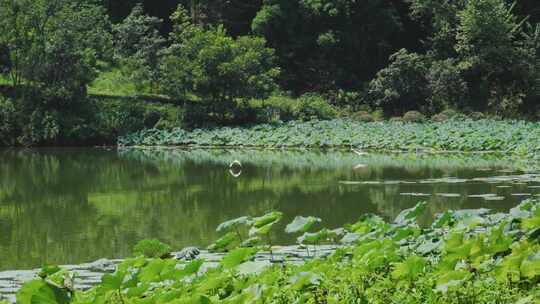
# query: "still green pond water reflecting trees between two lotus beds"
x,y
78,205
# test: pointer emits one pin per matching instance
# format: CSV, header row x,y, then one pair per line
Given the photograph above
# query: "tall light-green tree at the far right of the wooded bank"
x,y
499,62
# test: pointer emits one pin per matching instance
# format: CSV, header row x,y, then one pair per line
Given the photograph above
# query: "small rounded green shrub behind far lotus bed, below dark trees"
x,y
313,106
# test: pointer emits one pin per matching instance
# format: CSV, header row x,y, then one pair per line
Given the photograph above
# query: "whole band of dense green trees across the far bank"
x,y
241,60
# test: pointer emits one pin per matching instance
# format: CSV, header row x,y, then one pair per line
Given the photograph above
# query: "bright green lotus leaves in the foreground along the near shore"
x,y
467,256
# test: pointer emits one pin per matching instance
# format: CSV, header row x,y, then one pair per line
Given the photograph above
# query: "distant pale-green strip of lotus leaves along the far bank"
x,y
453,135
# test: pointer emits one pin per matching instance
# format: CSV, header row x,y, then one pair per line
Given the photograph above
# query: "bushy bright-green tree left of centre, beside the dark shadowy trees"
x,y
217,68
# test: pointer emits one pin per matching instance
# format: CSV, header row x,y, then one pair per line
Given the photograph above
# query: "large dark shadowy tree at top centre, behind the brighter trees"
x,y
325,45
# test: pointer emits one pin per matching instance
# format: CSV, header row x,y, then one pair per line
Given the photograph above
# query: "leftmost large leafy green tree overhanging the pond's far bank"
x,y
53,52
